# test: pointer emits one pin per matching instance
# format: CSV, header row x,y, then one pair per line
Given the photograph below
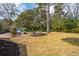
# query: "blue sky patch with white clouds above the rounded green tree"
x,y
24,6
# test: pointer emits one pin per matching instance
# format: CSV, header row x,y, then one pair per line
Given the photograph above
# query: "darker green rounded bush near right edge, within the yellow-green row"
x,y
70,25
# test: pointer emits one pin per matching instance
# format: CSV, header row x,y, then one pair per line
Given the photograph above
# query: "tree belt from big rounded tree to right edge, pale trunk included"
x,y
39,19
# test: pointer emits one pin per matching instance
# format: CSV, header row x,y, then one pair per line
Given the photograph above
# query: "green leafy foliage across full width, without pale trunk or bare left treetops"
x,y
37,20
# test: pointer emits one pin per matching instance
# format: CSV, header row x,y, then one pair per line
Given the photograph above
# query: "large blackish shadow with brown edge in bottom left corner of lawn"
x,y
8,48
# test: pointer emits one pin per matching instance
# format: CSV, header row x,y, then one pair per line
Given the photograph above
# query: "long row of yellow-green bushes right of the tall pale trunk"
x,y
65,25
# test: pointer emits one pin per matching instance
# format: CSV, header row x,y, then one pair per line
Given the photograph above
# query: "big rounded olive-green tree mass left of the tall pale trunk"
x,y
33,20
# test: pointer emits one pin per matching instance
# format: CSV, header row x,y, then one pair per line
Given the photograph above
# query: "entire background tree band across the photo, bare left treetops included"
x,y
65,17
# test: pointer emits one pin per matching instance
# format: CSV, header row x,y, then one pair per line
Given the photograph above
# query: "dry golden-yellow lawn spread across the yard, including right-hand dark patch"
x,y
52,44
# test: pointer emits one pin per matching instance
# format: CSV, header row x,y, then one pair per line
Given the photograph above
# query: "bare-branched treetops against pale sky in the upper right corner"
x,y
70,12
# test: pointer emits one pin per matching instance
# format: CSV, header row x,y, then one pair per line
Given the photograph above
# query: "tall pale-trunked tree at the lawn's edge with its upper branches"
x,y
46,7
